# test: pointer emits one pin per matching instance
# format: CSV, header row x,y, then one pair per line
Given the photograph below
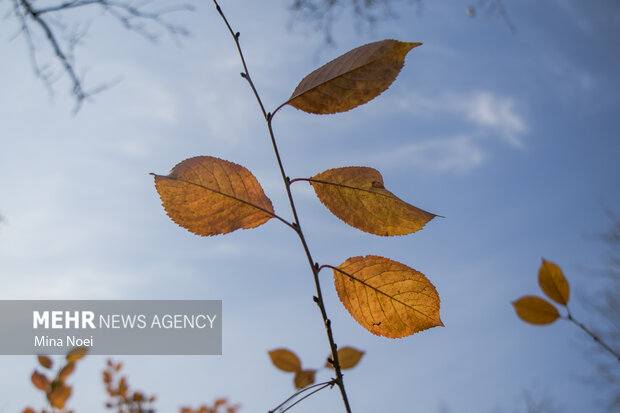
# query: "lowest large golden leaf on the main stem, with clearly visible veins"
x,y
386,297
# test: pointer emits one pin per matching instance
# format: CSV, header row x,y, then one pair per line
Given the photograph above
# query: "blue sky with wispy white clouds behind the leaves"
x,y
513,137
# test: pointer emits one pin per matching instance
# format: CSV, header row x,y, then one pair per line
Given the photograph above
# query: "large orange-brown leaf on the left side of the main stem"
x,y
210,196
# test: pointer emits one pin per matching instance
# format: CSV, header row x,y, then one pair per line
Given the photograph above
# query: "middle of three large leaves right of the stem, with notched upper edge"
x,y
356,195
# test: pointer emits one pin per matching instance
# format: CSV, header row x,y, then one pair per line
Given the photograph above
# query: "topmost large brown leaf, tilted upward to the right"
x,y
352,79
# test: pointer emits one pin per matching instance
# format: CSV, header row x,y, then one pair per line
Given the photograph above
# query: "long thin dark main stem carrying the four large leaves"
x,y
287,183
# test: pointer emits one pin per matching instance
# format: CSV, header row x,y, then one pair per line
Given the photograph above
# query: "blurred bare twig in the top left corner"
x,y
61,42
